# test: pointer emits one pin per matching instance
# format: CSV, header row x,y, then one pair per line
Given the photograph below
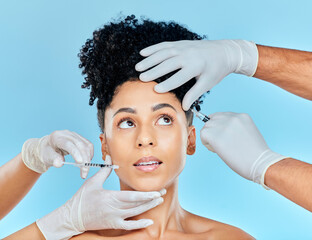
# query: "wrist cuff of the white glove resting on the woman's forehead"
x,y
249,55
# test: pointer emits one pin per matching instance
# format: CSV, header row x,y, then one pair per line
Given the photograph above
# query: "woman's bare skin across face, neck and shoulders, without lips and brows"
x,y
149,133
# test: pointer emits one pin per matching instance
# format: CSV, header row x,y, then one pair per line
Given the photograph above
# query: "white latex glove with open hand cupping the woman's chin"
x,y
93,208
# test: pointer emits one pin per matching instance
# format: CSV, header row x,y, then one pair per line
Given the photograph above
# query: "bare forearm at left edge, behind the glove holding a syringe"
x,y
15,182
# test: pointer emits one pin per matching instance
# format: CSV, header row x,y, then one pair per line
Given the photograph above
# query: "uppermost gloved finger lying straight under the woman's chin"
x,y
134,196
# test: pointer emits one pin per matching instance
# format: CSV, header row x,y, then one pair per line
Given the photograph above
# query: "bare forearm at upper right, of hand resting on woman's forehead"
x,y
286,68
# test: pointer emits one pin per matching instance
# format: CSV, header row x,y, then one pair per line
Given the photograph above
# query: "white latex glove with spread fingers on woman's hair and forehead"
x,y
208,61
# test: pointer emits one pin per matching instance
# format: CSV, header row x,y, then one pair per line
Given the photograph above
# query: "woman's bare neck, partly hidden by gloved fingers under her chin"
x,y
166,216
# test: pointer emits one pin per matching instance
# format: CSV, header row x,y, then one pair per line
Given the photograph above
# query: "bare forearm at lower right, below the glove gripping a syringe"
x,y
292,179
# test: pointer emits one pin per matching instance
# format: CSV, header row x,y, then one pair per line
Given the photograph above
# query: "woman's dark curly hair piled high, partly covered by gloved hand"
x,y
109,58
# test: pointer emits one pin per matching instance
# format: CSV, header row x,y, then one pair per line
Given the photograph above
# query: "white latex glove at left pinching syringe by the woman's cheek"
x,y
39,154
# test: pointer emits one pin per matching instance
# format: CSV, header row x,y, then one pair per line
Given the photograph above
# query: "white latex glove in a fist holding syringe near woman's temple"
x,y
238,142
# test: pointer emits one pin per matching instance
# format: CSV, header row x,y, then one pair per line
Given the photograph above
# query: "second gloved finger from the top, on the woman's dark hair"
x,y
153,60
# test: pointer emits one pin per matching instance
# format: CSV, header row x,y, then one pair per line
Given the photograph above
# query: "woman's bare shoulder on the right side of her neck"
x,y
212,229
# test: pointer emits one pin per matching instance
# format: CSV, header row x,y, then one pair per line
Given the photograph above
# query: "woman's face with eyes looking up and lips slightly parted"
x,y
146,134
